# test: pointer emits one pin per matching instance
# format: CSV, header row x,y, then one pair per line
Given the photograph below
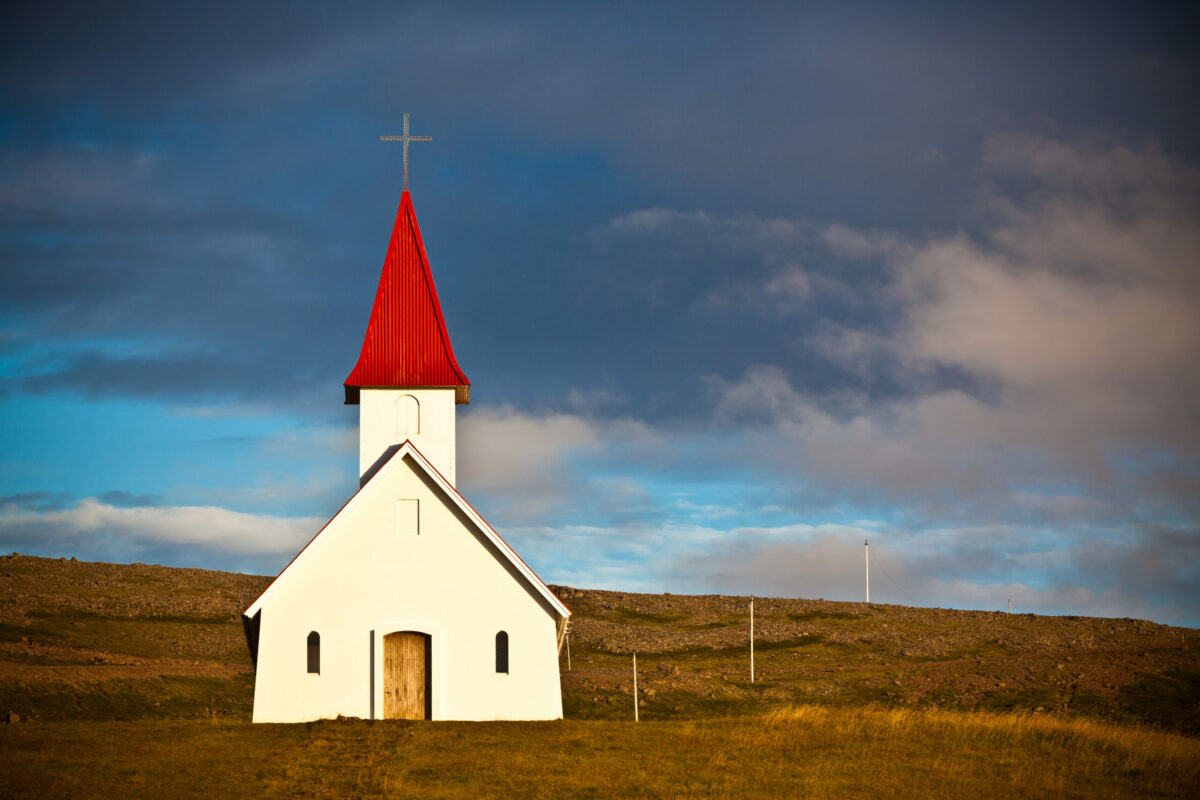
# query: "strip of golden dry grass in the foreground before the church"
x,y
791,753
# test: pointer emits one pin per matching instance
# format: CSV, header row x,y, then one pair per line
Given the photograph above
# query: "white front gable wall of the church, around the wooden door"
x,y
364,579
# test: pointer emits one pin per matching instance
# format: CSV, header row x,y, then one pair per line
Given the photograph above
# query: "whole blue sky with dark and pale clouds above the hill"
x,y
737,287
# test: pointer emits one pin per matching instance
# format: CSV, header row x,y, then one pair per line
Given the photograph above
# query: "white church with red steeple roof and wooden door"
x,y
407,604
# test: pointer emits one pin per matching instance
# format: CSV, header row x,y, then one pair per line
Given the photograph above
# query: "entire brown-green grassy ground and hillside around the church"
x,y
134,682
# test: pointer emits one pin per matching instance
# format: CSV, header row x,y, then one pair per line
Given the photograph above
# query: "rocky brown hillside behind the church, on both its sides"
x,y
85,641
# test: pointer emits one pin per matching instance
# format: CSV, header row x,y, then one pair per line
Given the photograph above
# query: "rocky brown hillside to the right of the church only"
x,y
695,649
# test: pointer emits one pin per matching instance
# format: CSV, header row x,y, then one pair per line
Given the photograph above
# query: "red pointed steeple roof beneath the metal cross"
x,y
407,345
